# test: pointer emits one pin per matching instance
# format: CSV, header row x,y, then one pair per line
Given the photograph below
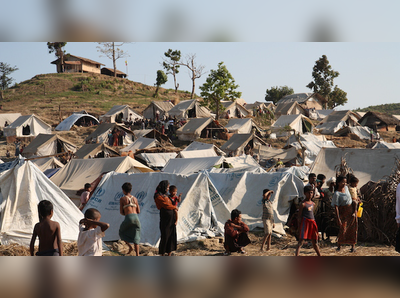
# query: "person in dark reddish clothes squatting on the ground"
x,y
236,234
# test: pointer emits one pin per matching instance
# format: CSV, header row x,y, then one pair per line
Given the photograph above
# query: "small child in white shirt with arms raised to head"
x,y
91,230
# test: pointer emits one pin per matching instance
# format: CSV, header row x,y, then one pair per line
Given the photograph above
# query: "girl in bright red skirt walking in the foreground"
x,y
308,227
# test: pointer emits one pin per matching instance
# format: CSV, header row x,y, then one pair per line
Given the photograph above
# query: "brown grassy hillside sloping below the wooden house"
x,y
47,94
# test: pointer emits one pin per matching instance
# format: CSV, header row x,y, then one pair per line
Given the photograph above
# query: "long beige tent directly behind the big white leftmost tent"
x,y
77,172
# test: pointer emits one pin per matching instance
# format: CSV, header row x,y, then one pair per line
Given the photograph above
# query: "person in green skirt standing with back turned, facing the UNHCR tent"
x,y
129,230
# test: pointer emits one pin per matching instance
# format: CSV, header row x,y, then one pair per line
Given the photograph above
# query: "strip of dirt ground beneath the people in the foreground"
x,y
284,246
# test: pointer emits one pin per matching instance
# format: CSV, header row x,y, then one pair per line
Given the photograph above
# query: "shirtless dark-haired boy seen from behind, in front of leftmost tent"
x,y
48,231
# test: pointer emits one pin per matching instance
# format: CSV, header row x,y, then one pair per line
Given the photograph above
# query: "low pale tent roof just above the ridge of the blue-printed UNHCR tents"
x,y
187,166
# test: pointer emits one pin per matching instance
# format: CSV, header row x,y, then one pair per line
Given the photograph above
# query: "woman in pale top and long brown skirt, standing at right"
x,y
345,214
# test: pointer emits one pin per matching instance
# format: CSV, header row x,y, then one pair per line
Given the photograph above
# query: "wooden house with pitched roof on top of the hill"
x,y
74,63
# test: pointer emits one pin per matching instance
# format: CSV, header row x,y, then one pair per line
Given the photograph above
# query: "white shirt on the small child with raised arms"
x,y
89,241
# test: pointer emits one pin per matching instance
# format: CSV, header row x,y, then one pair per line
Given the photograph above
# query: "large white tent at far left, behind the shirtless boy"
x,y
21,189
